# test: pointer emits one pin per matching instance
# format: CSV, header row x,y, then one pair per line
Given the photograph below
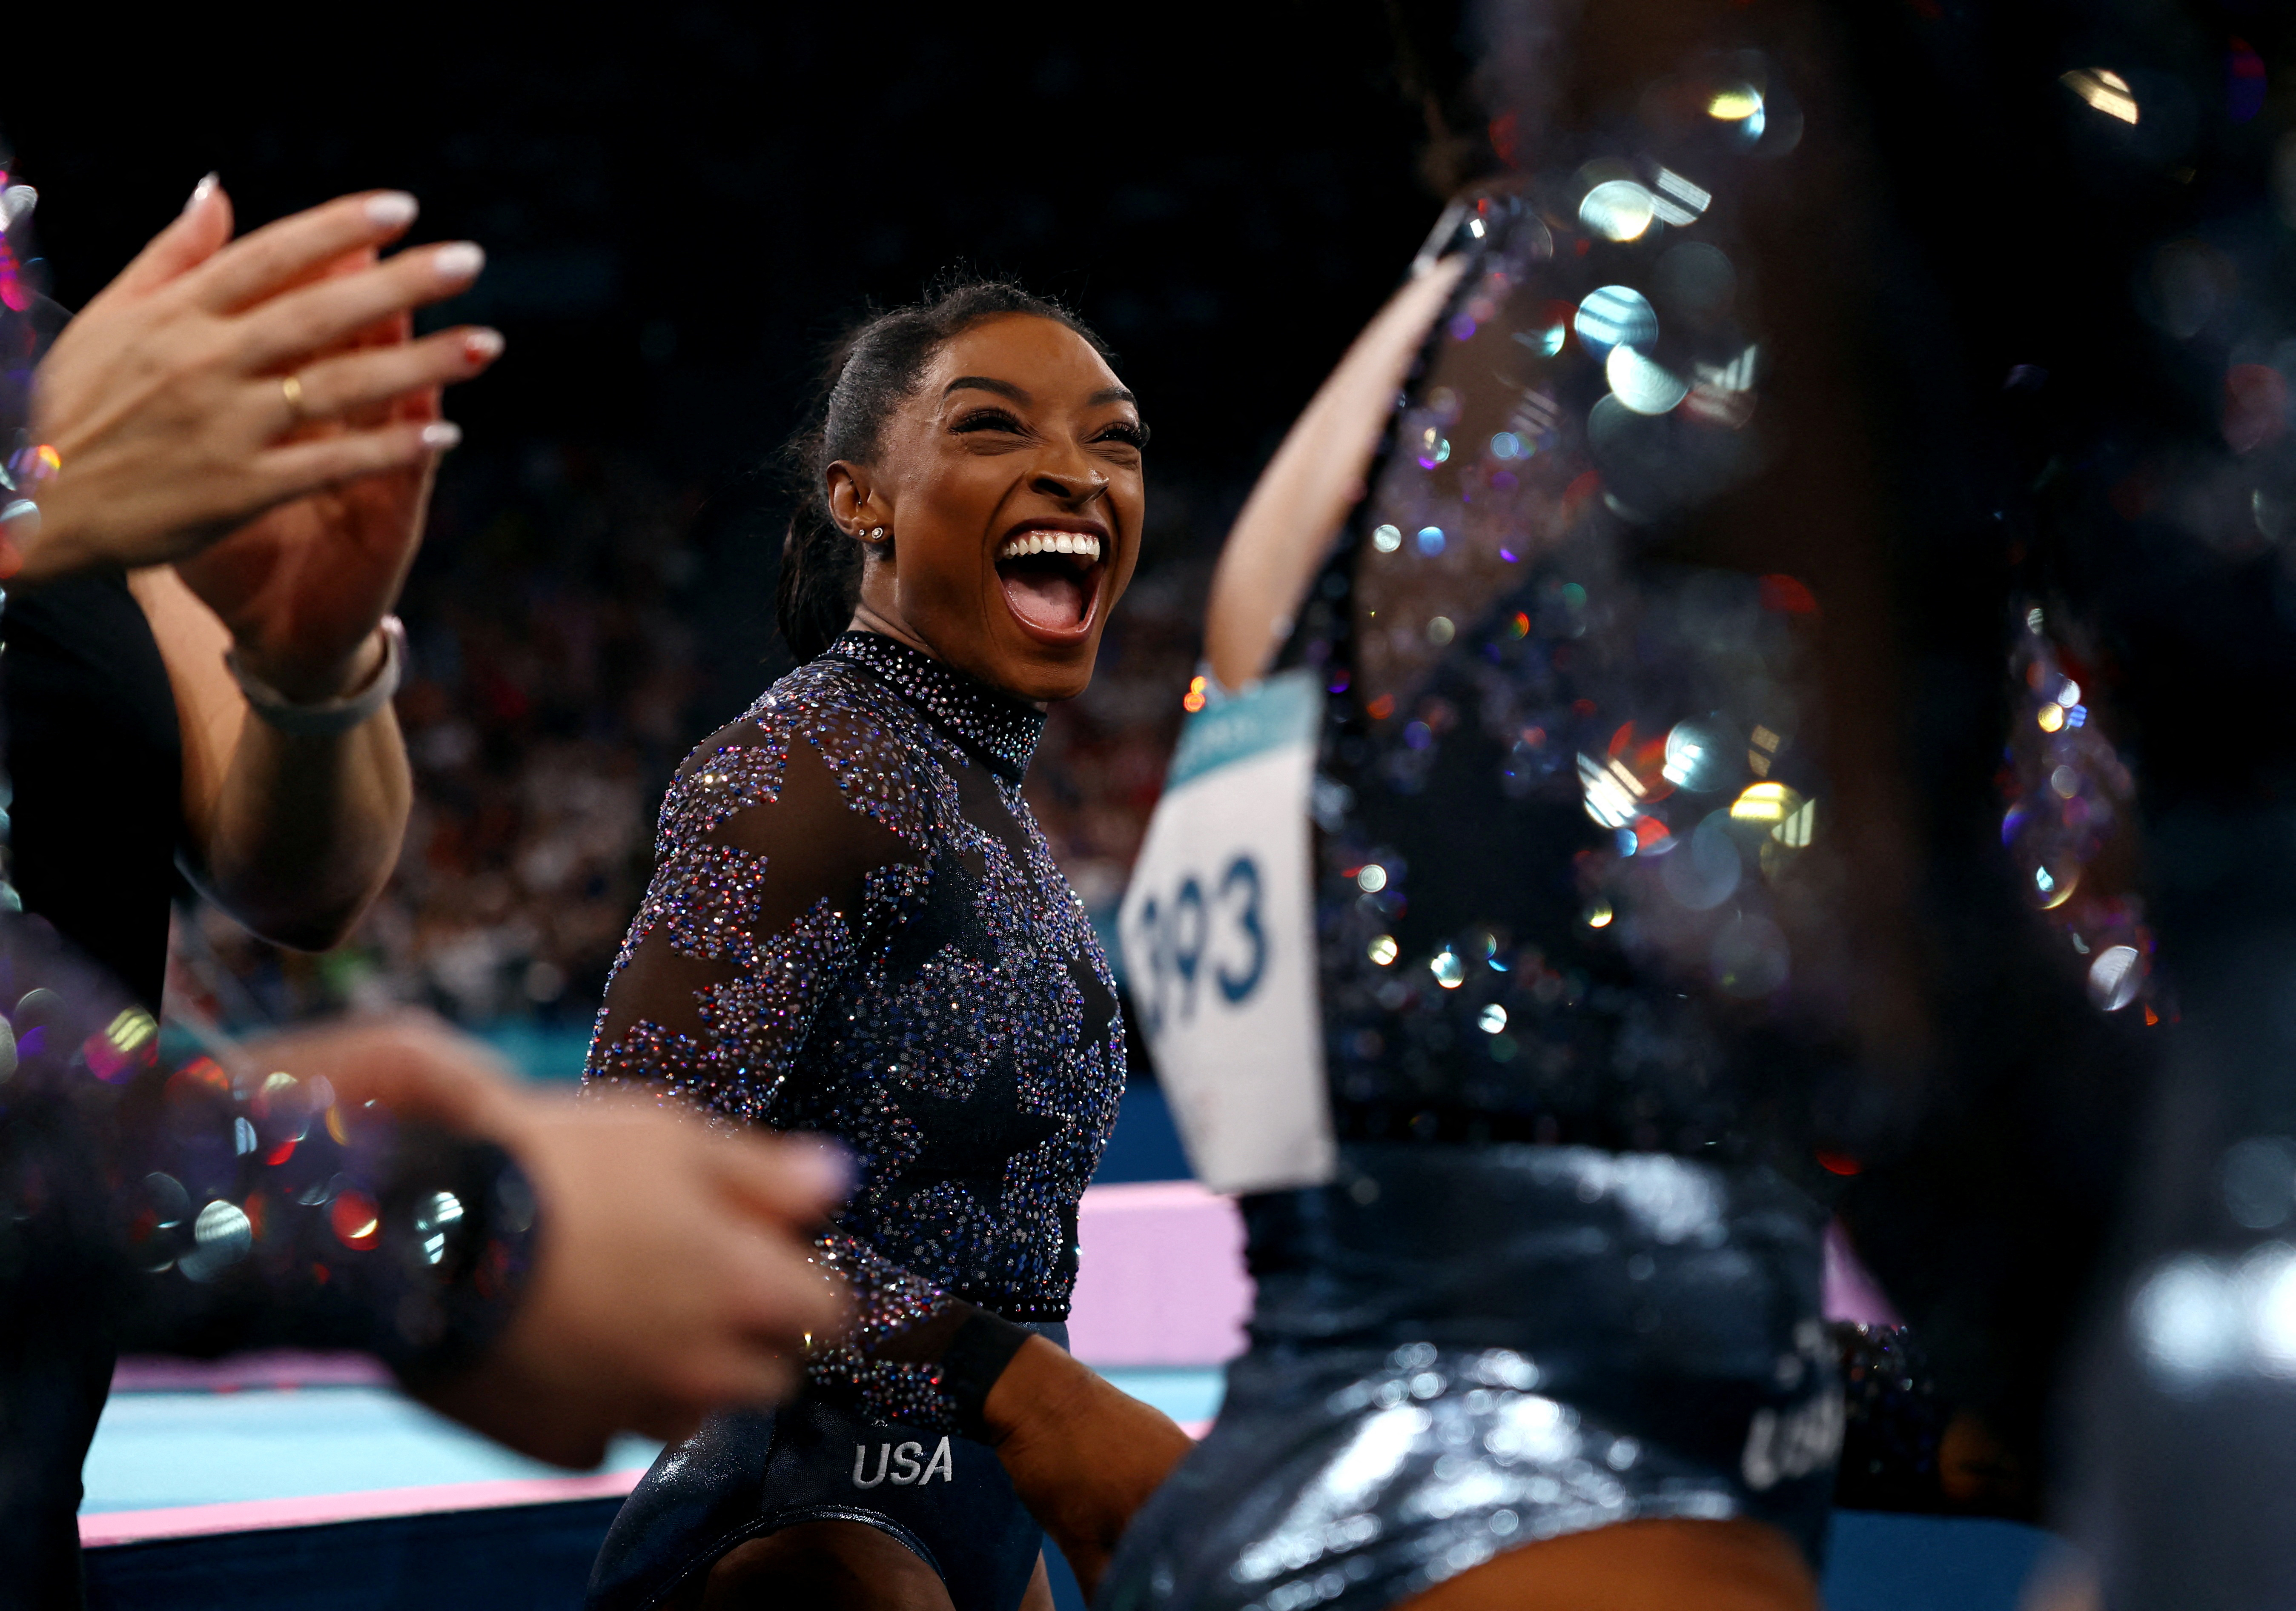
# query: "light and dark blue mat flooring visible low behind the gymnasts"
x,y
199,1449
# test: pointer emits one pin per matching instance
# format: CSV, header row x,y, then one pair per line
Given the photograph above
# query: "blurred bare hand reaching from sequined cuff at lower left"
x,y
674,1266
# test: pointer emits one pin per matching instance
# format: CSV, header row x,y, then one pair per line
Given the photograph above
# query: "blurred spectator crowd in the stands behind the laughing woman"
x,y
575,630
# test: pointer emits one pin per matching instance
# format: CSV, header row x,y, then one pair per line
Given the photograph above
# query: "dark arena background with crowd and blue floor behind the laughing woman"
x,y
681,205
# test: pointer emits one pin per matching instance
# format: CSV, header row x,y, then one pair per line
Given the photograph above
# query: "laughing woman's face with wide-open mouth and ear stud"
x,y
1011,488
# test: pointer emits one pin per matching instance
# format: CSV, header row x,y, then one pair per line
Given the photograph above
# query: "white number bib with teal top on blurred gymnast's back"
x,y
1220,942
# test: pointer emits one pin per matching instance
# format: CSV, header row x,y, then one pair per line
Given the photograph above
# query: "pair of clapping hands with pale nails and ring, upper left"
x,y
261,412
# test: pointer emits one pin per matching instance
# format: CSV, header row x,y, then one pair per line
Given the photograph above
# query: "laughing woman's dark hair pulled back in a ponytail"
x,y
871,373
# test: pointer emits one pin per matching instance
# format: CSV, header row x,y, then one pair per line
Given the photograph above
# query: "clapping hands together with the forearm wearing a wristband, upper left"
x,y
261,414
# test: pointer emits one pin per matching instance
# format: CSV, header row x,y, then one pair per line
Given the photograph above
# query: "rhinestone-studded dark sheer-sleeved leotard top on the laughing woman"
x,y
855,928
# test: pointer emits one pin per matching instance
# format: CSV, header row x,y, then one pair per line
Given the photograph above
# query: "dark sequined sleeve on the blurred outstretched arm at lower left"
x,y
208,1208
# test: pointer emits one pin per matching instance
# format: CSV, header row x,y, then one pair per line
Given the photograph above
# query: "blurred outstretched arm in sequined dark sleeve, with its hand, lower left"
x,y
543,1273
